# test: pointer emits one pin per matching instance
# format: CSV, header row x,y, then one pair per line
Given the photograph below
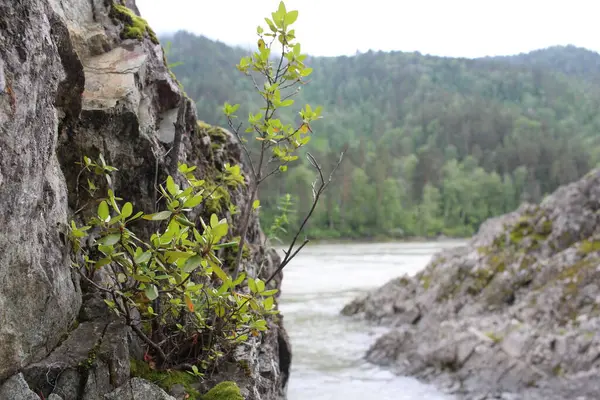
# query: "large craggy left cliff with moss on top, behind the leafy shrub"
x,y
83,78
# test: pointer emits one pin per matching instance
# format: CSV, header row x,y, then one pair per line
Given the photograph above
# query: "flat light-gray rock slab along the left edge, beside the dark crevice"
x,y
39,298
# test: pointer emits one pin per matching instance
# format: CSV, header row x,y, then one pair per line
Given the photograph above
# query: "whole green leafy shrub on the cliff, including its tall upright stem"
x,y
172,286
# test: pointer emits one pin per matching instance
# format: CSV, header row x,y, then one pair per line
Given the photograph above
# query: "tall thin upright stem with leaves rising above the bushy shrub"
x,y
276,80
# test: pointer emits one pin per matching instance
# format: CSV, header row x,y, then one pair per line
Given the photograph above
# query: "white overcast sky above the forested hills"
x,y
461,28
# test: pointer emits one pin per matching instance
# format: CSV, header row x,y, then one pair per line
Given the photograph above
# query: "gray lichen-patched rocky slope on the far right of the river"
x,y
513,314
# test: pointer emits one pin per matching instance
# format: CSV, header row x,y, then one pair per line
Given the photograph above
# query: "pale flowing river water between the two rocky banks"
x,y
328,349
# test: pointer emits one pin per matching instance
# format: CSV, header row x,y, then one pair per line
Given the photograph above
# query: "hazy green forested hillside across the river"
x,y
434,146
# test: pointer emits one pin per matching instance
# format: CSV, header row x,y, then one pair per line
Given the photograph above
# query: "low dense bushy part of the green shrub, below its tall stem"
x,y
164,286
